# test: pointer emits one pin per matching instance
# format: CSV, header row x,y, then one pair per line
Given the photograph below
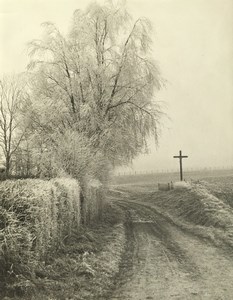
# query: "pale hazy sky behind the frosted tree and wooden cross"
x,y
193,44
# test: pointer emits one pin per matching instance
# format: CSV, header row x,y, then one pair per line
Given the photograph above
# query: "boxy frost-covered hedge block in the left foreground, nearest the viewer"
x,y
35,218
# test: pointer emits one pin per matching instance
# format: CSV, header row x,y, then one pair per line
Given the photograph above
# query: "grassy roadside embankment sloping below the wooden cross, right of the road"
x,y
195,208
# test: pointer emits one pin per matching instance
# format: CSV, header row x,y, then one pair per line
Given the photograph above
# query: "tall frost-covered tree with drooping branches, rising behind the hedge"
x,y
98,80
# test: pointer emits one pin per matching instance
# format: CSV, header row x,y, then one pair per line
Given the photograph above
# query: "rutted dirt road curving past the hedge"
x,y
164,262
